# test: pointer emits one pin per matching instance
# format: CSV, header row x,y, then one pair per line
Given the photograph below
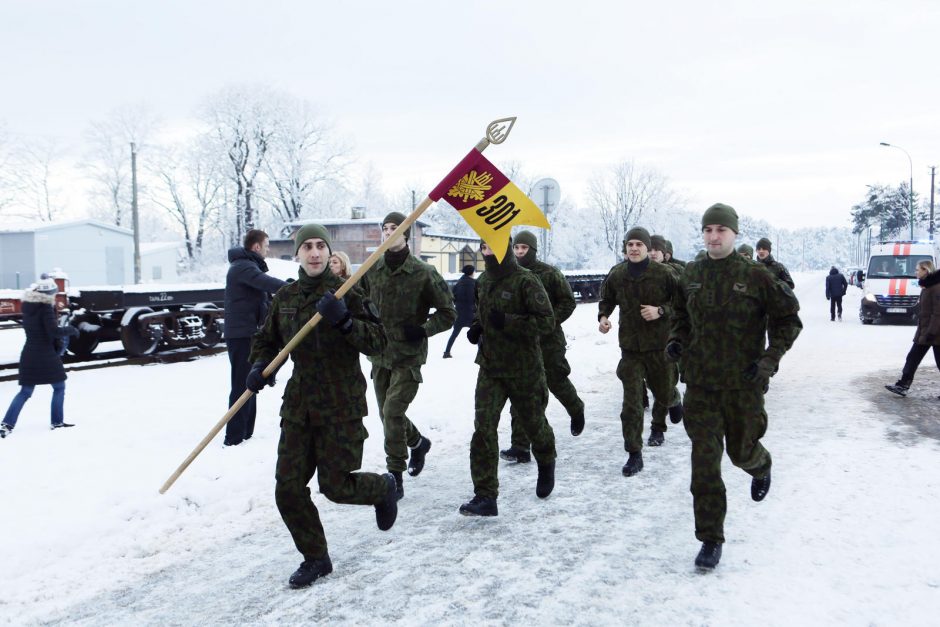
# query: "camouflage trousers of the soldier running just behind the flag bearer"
x,y
395,390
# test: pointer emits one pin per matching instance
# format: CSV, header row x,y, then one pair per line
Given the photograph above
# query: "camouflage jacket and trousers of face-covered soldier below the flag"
x,y
511,368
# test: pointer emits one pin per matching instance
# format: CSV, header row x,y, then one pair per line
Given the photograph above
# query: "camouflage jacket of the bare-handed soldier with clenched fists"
x,y
657,285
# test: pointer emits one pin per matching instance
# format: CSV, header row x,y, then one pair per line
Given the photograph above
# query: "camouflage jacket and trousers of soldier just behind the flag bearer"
x,y
404,296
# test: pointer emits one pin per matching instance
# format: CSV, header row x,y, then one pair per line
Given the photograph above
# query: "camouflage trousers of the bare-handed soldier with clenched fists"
x,y
637,370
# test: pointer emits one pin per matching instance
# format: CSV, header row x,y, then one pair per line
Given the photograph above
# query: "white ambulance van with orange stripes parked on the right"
x,y
891,289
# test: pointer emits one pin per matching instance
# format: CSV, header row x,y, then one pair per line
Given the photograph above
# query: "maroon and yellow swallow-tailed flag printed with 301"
x,y
489,202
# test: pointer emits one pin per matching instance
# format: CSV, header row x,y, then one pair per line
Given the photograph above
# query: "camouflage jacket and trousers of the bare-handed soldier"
x,y
641,343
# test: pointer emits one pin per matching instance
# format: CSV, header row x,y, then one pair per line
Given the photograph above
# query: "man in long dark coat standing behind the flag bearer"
x,y
247,296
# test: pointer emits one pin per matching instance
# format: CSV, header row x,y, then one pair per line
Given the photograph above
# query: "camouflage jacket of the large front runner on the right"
x,y
726,311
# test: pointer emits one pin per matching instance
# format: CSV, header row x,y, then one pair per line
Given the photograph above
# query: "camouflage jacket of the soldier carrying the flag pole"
x,y
327,385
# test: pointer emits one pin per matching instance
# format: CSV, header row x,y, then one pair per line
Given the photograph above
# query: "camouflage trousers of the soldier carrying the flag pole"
x,y
334,452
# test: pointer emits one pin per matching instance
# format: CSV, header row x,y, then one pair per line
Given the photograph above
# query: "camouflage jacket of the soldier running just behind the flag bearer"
x,y
406,295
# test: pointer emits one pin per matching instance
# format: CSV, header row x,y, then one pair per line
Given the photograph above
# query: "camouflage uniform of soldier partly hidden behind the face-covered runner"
x,y
553,347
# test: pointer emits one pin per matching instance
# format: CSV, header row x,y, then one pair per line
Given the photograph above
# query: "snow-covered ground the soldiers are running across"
x,y
848,534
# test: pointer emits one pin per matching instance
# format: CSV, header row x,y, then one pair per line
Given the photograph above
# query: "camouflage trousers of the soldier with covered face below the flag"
x,y
528,396
